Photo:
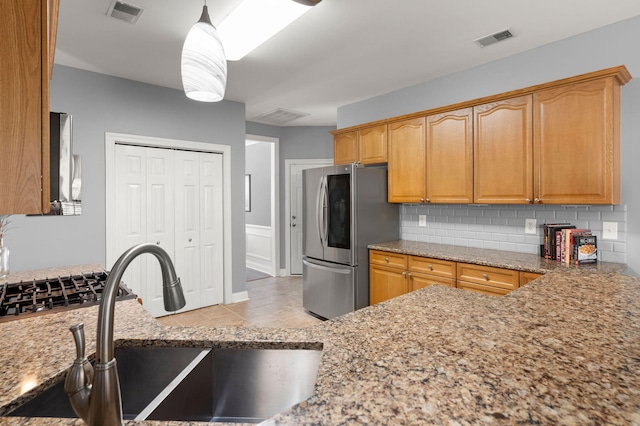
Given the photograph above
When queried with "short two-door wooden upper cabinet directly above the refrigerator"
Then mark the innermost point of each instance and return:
(365, 146)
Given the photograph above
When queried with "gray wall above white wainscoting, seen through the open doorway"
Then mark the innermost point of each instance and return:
(258, 165)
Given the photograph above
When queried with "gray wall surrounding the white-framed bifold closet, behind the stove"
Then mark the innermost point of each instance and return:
(100, 104)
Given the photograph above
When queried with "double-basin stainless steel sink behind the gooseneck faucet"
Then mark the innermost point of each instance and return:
(195, 384)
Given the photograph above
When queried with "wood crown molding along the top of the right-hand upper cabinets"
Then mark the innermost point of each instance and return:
(620, 72)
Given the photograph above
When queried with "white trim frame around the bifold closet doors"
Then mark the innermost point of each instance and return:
(111, 139)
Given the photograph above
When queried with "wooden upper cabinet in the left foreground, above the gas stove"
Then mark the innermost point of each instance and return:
(27, 42)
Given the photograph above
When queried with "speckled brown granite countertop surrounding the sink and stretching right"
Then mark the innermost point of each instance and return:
(564, 349)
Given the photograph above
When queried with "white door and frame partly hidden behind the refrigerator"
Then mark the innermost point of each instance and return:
(293, 209)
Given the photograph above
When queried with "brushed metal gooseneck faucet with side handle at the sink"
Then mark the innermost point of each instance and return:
(94, 392)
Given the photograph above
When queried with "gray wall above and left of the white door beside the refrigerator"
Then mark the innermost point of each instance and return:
(294, 143)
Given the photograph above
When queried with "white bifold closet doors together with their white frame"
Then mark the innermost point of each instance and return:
(176, 174)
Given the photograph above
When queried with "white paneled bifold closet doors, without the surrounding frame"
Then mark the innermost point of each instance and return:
(171, 198)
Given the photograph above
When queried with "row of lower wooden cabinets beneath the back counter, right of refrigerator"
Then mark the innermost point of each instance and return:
(394, 274)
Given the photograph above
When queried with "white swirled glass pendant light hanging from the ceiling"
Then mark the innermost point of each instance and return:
(204, 65)
